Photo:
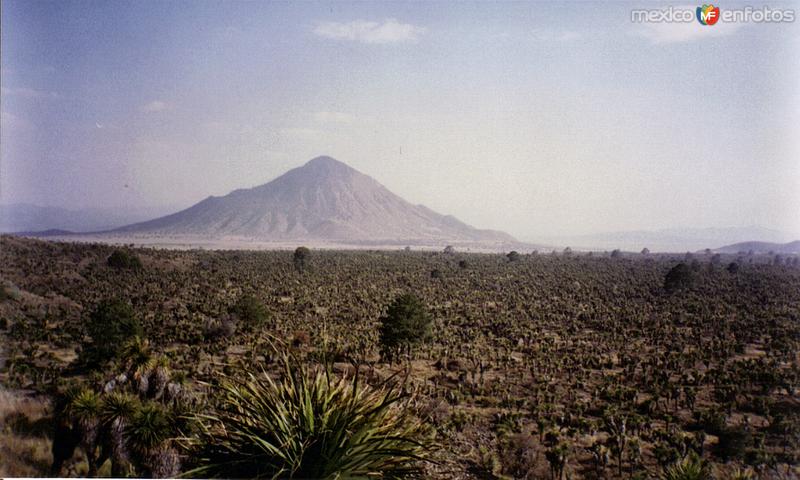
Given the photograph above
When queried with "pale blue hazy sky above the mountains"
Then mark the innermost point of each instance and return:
(533, 118)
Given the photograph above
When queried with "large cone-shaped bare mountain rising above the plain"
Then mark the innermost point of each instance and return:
(324, 200)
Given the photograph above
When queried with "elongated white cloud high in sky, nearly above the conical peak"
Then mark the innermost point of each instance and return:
(389, 31)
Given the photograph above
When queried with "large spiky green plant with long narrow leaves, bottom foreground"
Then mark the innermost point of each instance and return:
(308, 425)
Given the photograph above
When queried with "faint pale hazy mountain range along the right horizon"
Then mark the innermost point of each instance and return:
(673, 239)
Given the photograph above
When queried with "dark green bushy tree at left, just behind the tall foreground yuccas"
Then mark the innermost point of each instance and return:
(110, 325)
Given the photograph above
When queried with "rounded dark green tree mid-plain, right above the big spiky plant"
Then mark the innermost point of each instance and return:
(406, 322)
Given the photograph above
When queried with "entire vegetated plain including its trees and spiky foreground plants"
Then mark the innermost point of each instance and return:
(123, 361)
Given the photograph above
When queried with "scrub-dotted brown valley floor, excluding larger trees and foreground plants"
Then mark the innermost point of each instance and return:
(540, 366)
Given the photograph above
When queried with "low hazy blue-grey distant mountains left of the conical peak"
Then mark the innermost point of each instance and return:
(25, 217)
